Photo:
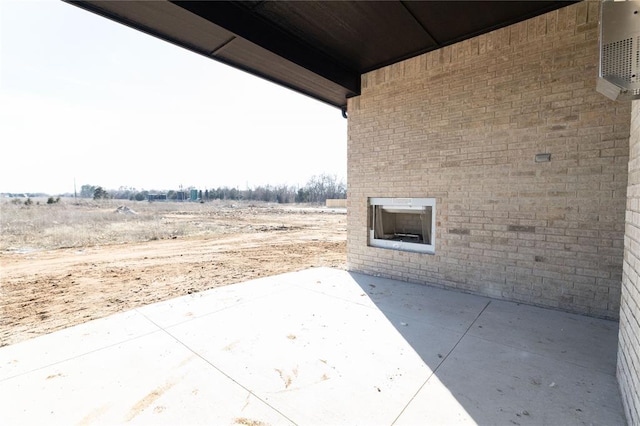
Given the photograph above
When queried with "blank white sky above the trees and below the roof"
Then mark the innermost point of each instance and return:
(84, 97)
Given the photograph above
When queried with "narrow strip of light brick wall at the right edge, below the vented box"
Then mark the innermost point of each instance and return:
(629, 337)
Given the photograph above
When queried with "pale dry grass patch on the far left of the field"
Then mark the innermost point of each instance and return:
(69, 224)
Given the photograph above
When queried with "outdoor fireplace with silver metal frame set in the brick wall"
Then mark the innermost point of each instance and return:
(406, 224)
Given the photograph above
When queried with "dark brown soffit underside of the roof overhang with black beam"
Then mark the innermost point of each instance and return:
(317, 48)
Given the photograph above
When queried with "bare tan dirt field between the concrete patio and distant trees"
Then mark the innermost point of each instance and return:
(43, 290)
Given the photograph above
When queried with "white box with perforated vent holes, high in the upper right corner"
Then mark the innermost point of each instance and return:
(619, 77)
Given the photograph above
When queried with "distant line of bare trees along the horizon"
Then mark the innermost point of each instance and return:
(317, 190)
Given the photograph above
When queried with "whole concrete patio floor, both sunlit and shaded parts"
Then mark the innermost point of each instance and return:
(319, 347)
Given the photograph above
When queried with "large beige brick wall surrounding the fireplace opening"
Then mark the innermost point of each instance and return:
(462, 125)
